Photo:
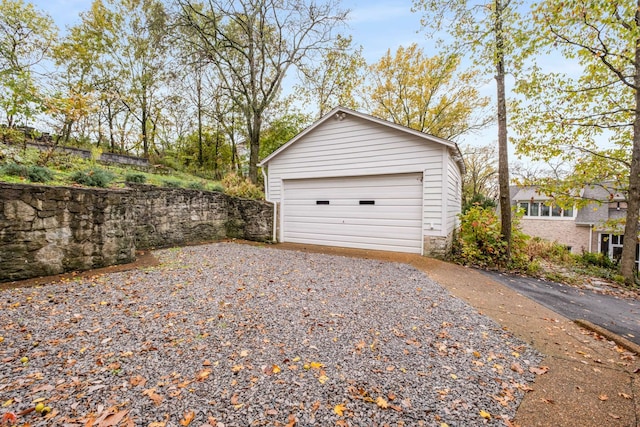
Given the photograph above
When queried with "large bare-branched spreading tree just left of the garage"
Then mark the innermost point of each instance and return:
(253, 43)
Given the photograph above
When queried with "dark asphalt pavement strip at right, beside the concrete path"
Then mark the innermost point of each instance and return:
(617, 314)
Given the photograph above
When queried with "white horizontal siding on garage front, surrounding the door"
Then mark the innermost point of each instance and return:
(357, 147)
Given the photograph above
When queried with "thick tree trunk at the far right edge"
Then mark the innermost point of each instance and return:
(628, 259)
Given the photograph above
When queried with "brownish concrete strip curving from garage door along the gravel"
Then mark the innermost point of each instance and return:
(590, 381)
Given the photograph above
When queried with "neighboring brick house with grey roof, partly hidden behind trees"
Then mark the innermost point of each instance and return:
(581, 230)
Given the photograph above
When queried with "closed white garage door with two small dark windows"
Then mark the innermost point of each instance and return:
(374, 212)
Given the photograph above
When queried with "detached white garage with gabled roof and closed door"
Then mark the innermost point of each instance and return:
(353, 180)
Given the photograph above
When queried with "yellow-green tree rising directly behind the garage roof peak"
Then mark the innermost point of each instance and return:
(333, 78)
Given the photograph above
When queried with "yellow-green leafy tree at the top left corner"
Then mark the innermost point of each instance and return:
(26, 38)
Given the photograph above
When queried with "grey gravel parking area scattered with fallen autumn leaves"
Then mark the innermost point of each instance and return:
(237, 335)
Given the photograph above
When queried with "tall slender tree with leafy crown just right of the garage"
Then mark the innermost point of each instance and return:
(490, 32)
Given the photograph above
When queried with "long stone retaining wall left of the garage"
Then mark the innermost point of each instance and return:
(50, 230)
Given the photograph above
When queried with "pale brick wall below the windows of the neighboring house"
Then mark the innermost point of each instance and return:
(565, 232)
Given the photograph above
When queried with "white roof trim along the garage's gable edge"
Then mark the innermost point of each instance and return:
(339, 113)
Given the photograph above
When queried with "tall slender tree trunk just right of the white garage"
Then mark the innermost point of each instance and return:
(503, 159)
